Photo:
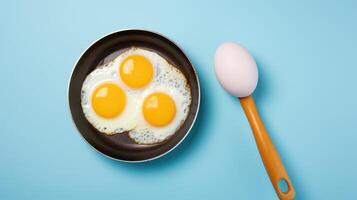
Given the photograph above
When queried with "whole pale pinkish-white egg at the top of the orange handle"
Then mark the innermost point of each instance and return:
(236, 69)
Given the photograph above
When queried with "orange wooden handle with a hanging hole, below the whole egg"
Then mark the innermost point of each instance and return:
(269, 154)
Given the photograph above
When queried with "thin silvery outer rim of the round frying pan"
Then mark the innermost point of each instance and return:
(196, 112)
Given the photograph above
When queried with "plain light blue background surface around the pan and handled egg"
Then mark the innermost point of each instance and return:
(306, 52)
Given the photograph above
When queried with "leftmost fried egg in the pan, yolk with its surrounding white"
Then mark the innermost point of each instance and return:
(105, 104)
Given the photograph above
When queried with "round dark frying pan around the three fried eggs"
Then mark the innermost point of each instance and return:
(119, 146)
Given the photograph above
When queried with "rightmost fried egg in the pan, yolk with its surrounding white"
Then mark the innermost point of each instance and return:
(164, 105)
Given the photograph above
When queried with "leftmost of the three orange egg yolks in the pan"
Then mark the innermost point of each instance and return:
(108, 100)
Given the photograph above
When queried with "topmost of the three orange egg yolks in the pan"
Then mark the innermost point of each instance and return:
(136, 71)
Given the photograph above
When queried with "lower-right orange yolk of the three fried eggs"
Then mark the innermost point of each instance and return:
(159, 109)
